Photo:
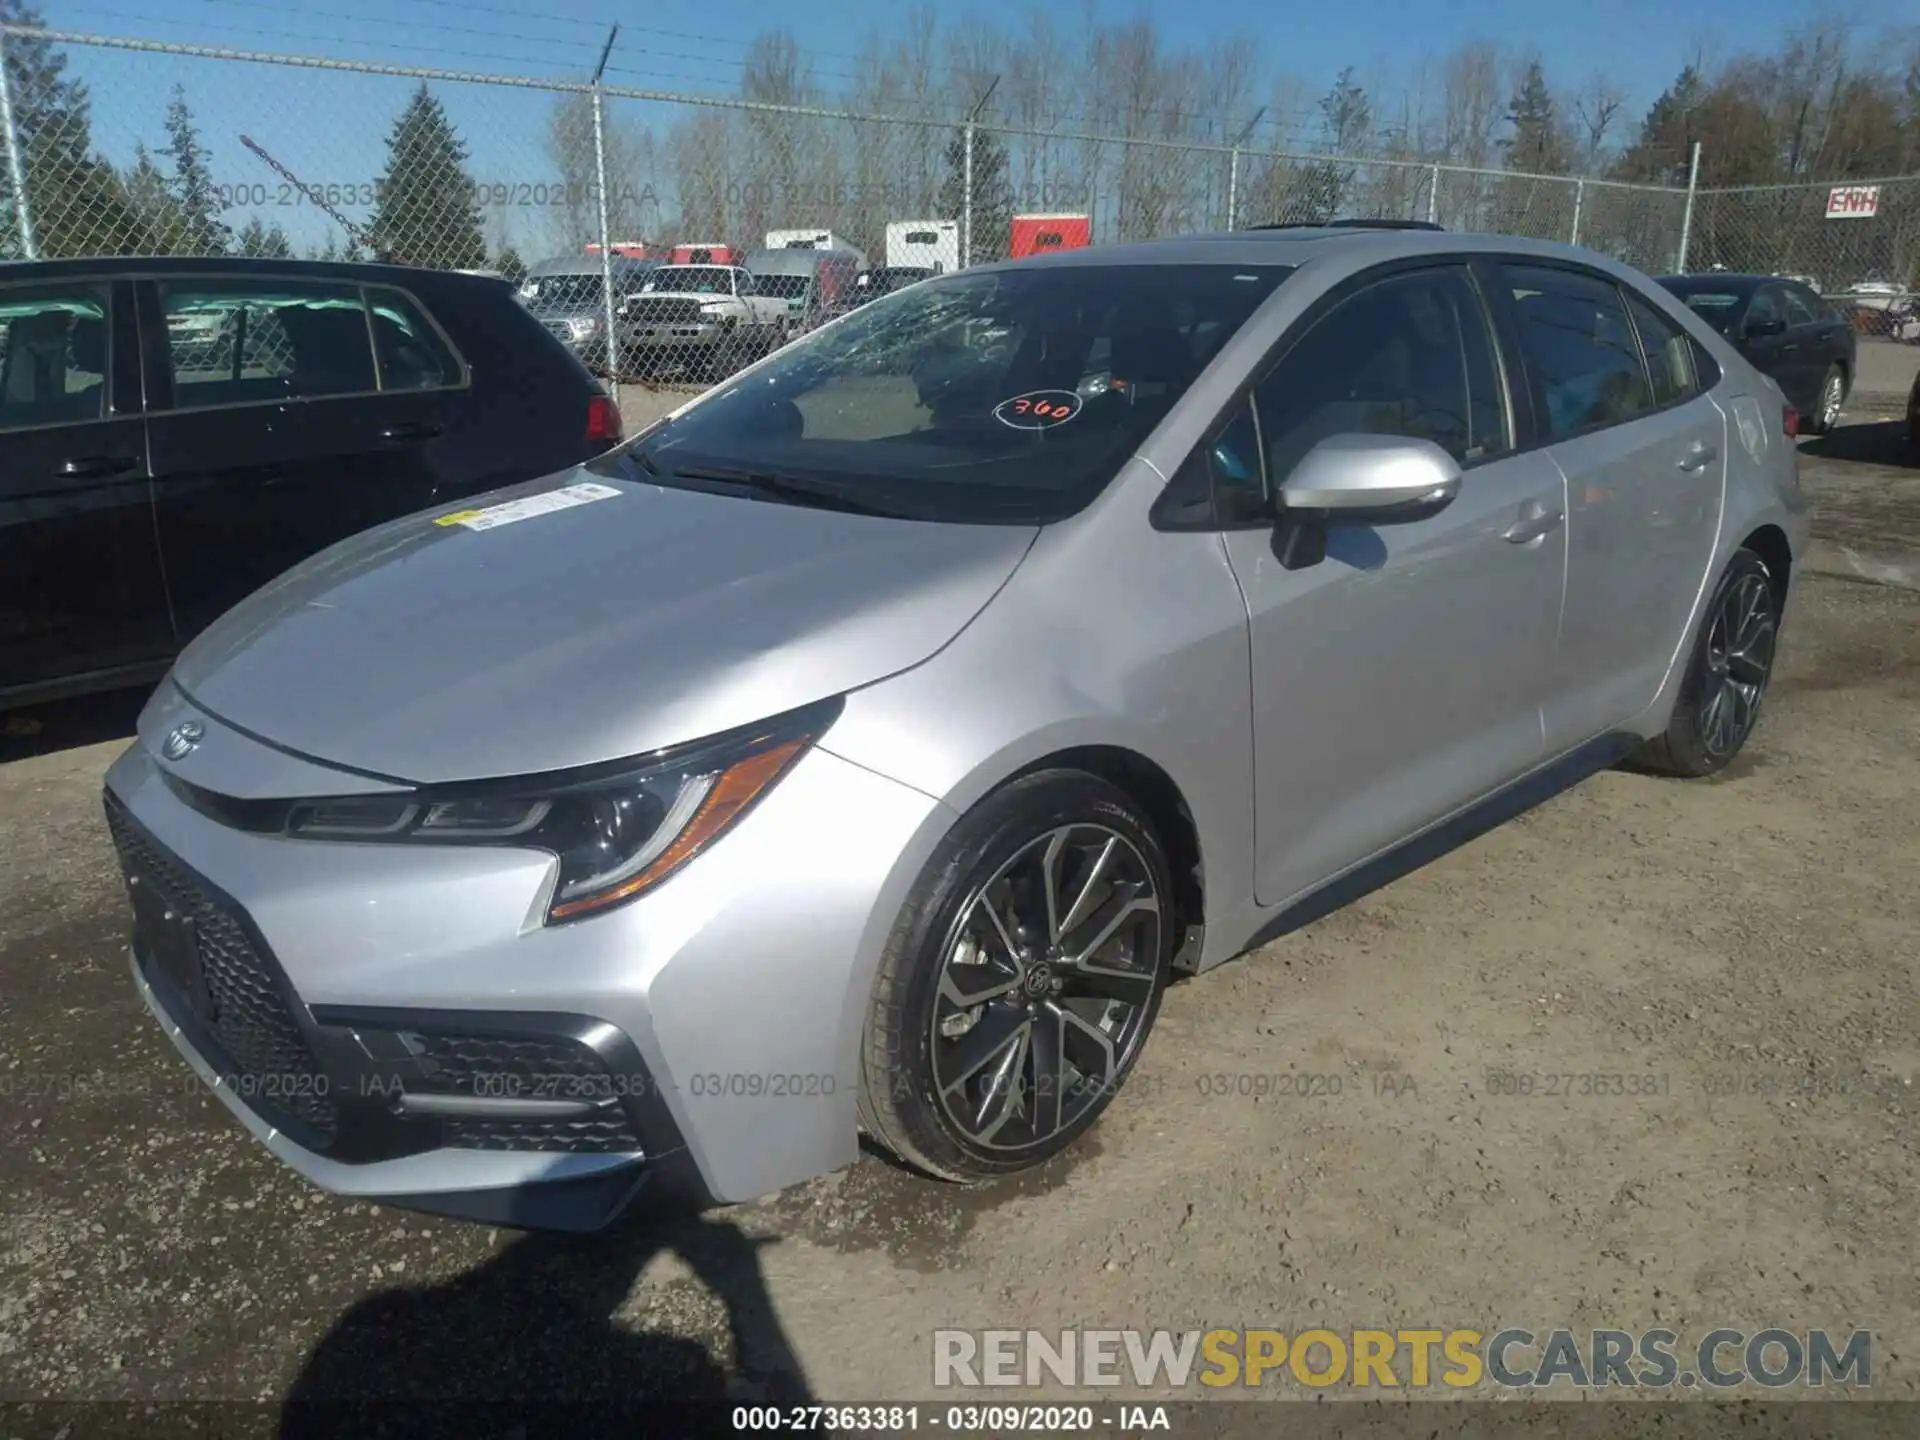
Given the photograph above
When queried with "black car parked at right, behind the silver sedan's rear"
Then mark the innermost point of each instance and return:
(1787, 331)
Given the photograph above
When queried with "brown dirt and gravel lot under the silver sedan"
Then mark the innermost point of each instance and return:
(1748, 942)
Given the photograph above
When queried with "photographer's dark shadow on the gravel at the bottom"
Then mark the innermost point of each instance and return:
(529, 1345)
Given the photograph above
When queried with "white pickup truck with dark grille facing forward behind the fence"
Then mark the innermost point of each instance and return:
(706, 320)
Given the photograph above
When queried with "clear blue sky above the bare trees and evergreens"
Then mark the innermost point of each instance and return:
(331, 128)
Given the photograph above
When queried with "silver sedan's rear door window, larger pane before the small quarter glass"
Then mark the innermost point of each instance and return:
(1579, 350)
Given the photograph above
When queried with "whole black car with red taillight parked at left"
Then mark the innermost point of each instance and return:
(176, 433)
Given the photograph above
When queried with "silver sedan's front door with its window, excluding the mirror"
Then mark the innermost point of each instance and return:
(1403, 677)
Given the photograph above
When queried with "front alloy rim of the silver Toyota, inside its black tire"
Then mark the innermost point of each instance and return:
(1045, 988)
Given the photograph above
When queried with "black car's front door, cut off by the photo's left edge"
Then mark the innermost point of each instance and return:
(80, 571)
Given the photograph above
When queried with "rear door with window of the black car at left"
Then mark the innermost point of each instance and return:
(276, 439)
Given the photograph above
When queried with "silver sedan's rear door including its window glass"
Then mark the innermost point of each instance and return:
(1644, 454)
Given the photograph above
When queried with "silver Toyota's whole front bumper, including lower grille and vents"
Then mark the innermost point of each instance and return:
(400, 1026)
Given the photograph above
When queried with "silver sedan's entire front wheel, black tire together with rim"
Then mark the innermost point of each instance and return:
(903, 1061)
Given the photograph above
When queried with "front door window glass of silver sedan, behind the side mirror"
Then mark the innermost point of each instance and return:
(1408, 356)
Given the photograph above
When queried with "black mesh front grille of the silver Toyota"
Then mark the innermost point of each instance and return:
(262, 1051)
